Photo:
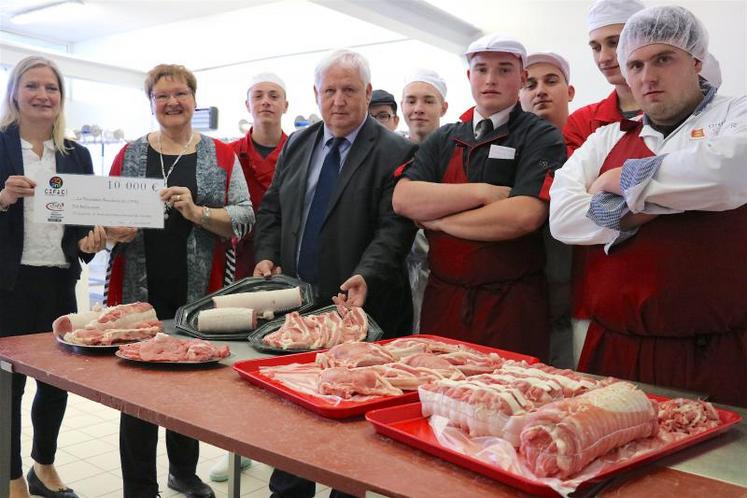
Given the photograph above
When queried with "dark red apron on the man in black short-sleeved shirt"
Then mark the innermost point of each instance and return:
(490, 293)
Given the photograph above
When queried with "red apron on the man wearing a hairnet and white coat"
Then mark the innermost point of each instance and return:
(668, 307)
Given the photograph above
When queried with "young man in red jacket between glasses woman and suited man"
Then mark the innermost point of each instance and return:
(258, 151)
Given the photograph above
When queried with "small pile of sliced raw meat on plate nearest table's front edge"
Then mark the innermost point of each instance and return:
(166, 348)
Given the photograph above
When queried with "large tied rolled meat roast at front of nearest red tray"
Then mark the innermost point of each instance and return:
(563, 437)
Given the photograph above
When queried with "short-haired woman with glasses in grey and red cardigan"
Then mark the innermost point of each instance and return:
(206, 205)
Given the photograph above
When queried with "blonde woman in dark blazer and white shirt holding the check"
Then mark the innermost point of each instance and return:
(39, 263)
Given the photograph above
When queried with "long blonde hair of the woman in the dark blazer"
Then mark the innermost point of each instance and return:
(10, 114)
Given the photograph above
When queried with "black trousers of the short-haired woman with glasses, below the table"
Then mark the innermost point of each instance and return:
(137, 452)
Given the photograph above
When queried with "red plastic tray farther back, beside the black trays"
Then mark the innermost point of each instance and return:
(249, 370)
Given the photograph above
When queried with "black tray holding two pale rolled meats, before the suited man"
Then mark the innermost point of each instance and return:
(186, 316)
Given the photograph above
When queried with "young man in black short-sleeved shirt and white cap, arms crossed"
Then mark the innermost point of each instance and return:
(476, 186)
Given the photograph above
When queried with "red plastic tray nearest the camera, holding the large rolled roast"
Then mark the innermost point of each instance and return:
(405, 423)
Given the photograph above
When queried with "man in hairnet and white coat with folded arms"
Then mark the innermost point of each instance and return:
(661, 202)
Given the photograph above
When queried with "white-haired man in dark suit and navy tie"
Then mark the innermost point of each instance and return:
(328, 217)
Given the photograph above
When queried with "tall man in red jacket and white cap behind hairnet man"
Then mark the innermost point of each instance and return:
(605, 21)
